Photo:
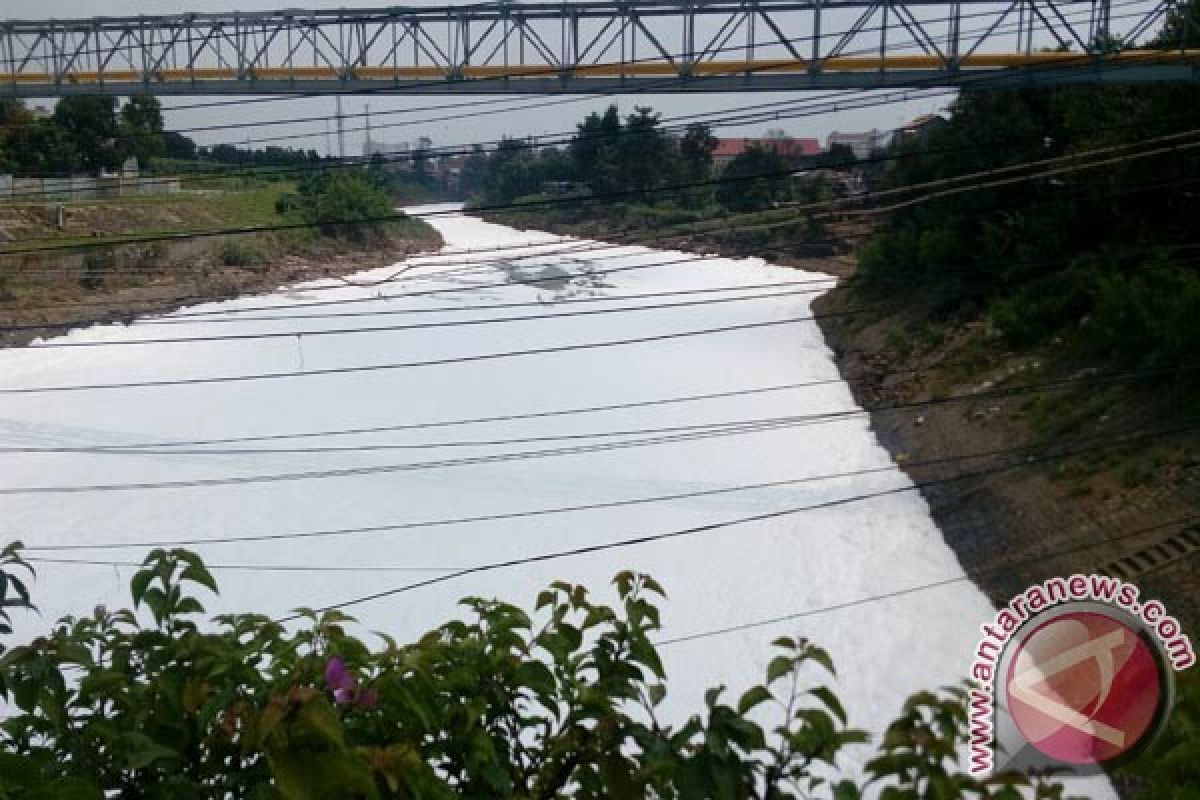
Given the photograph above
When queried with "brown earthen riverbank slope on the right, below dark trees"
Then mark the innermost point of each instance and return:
(1106, 509)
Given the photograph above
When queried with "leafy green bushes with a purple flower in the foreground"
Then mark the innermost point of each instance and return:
(154, 702)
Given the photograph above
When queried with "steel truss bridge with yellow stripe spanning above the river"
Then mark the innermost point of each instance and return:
(597, 46)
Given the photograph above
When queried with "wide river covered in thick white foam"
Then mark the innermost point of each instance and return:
(728, 578)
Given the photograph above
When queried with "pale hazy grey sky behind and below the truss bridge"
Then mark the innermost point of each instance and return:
(409, 127)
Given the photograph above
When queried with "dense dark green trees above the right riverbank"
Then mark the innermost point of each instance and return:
(1100, 260)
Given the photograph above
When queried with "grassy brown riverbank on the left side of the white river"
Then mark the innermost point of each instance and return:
(49, 293)
